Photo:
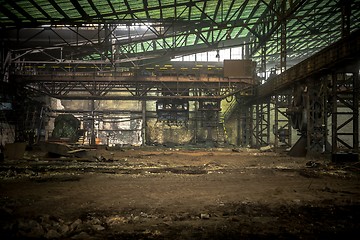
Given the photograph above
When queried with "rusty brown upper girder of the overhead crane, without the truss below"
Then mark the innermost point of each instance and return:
(184, 72)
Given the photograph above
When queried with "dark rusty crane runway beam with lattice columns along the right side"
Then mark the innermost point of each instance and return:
(326, 84)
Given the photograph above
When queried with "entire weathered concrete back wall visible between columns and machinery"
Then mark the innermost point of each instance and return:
(126, 128)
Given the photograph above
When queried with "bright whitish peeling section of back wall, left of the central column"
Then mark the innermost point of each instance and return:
(116, 122)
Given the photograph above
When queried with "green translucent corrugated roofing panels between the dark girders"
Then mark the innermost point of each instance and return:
(315, 21)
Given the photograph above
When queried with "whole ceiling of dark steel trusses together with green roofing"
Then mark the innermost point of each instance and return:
(208, 26)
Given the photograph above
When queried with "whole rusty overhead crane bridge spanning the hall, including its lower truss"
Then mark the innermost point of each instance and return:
(201, 81)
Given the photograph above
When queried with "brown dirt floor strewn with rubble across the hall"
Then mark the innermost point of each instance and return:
(178, 193)
